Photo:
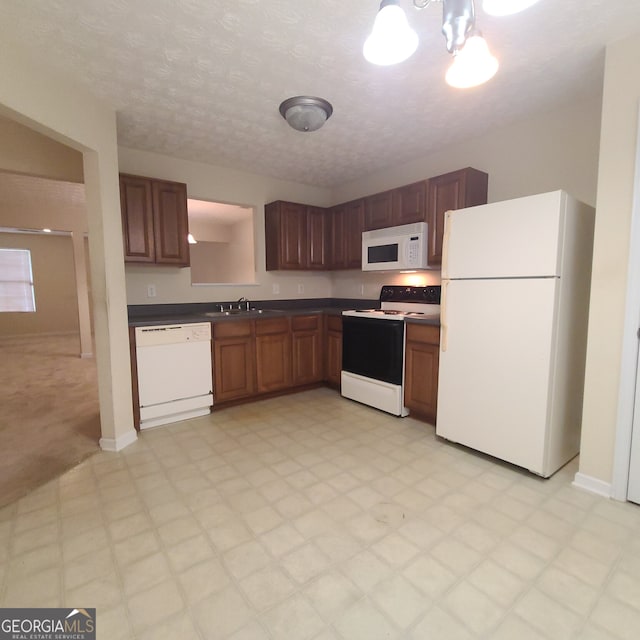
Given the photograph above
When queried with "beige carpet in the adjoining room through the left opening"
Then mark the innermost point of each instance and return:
(49, 416)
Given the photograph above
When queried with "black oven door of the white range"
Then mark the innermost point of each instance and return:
(373, 348)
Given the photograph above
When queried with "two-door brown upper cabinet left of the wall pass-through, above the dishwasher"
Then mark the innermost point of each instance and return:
(154, 220)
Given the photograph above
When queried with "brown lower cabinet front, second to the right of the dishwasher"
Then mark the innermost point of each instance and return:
(273, 354)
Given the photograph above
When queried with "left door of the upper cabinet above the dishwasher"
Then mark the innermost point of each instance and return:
(136, 205)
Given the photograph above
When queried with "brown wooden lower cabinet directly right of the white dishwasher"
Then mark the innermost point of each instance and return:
(233, 361)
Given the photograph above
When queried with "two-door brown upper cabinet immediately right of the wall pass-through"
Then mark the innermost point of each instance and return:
(296, 236)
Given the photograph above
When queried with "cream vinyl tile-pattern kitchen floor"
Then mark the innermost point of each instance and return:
(313, 517)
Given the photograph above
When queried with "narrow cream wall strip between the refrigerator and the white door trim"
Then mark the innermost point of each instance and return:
(611, 250)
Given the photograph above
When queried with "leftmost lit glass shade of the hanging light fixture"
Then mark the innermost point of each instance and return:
(392, 40)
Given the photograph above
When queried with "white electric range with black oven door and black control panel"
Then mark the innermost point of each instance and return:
(373, 346)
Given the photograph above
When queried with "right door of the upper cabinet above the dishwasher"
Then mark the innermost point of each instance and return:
(170, 222)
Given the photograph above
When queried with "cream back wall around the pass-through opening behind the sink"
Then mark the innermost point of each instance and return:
(219, 184)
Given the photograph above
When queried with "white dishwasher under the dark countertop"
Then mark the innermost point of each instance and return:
(175, 379)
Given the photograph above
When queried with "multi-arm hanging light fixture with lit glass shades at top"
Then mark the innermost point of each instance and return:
(392, 39)
